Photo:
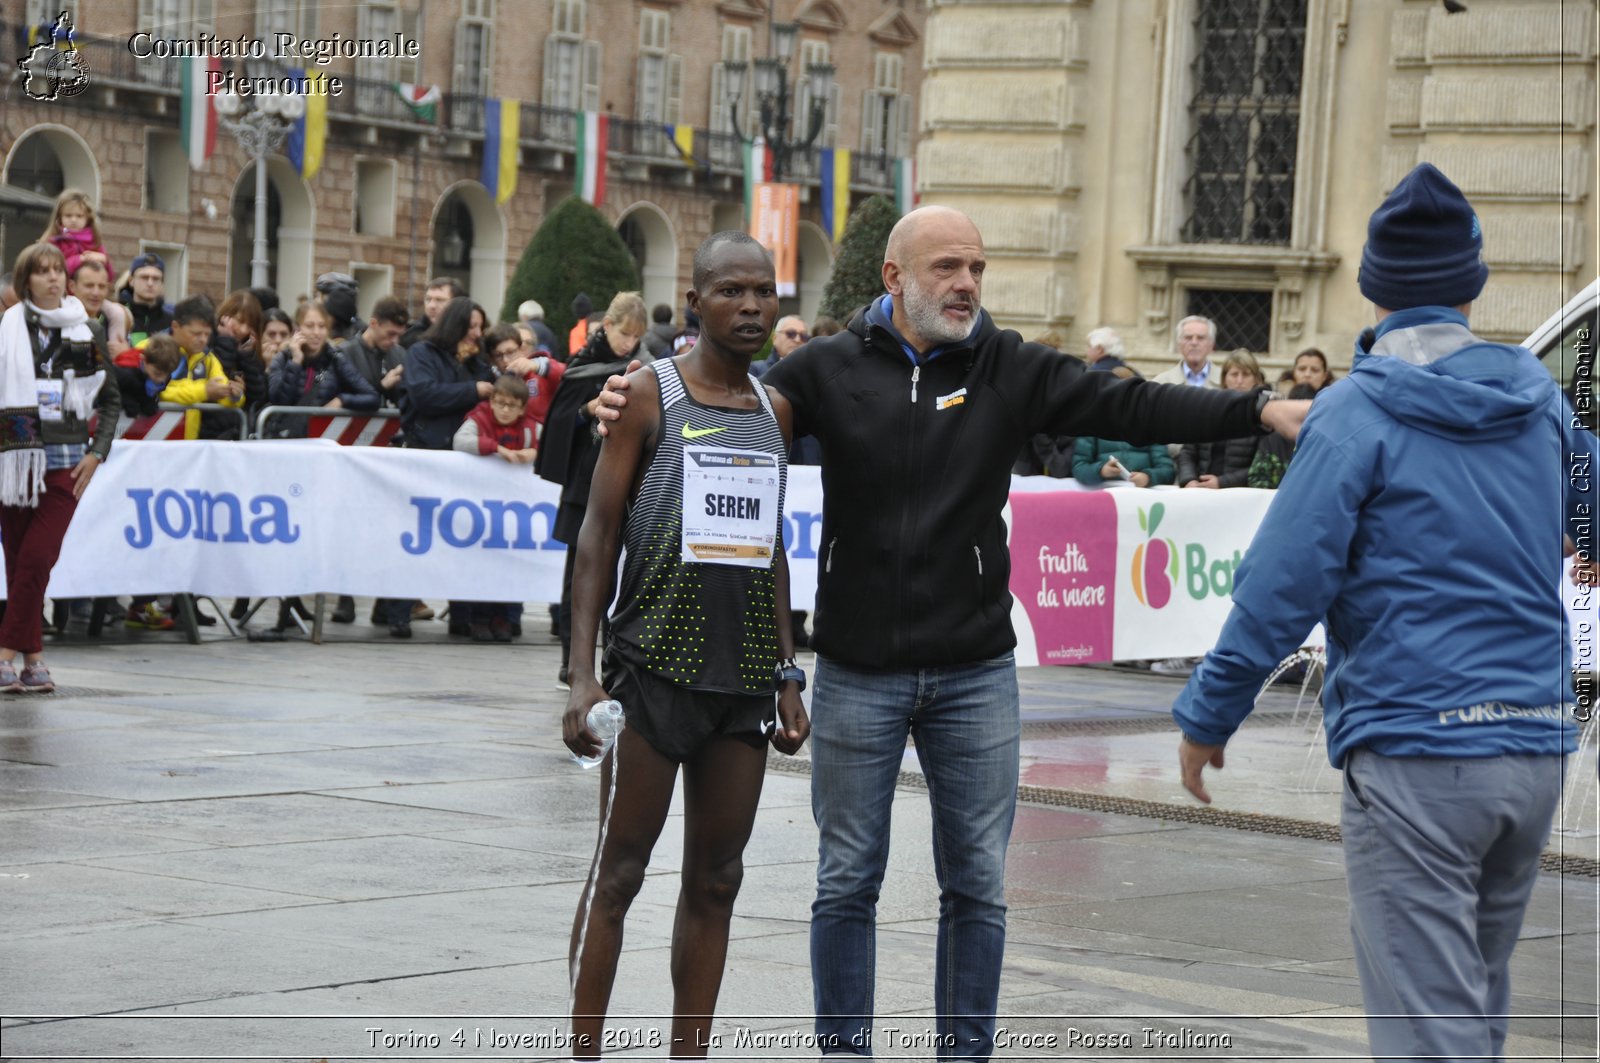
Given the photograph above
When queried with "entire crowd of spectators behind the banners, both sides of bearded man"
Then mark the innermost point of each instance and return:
(452, 382)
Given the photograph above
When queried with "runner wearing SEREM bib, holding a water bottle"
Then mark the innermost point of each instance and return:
(700, 627)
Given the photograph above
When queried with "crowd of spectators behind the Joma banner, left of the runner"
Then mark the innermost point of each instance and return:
(449, 379)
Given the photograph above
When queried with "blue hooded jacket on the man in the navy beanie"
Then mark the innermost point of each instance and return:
(1423, 523)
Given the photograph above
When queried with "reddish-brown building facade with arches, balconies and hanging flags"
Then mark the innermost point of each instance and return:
(399, 201)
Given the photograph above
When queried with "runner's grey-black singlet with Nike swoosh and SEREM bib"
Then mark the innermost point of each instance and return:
(697, 598)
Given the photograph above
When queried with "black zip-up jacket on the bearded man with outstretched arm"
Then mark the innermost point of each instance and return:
(913, 569)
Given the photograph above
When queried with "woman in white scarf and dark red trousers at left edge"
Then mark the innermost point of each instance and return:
(52, 380)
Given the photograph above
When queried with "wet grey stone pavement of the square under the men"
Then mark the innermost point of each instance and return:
(374, 849)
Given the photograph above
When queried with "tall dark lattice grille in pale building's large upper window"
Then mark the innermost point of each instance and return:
(1246, 121)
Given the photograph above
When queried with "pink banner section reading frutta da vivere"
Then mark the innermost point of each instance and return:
(1065, 576)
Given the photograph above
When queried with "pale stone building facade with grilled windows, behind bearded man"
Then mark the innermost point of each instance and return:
(1135, 161)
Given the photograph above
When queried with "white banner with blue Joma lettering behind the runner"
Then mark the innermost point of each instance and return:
(257, 519)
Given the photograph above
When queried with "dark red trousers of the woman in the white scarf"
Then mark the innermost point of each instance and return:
(31, 537)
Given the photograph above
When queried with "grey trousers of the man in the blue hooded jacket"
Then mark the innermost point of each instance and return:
(1441, 857)
